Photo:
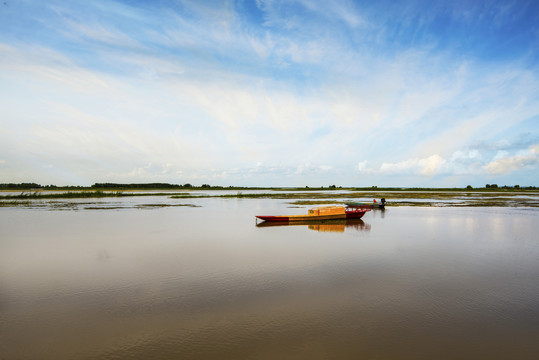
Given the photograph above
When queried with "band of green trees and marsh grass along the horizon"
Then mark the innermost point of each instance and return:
(491, 195)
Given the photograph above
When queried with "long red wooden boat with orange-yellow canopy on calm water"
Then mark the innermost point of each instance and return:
(321, 213)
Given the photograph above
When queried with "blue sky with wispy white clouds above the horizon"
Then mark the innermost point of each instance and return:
(270, 92)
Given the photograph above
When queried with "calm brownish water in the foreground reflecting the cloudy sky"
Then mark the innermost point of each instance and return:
(207, 283)
